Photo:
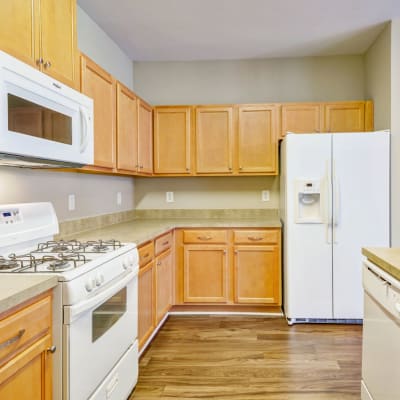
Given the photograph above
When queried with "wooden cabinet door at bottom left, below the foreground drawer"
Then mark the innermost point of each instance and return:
(29, 374)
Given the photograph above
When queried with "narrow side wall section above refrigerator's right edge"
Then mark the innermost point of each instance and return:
(377, 78)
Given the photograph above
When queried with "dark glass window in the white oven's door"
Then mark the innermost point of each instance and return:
(105, 316)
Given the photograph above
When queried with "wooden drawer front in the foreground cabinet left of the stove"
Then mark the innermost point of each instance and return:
(21, 329)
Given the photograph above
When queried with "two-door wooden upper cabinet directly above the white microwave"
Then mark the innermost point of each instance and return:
(42, 34)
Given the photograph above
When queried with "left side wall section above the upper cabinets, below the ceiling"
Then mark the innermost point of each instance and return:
(93, 41)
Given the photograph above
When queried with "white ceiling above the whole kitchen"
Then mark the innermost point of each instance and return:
(173, 30)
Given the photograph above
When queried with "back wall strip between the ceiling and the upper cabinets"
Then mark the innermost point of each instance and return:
(291, 79)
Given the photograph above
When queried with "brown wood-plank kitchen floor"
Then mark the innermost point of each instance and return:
(236, 357)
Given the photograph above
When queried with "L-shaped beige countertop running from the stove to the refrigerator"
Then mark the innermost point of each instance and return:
(141, 230)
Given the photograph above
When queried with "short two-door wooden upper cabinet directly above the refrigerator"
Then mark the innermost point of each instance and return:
(345, 116)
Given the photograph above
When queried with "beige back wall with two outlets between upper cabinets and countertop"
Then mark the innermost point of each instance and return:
(206, 192)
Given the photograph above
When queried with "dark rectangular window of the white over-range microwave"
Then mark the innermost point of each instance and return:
(35, 120)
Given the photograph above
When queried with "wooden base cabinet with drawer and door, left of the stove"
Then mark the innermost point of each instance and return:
(26, 353)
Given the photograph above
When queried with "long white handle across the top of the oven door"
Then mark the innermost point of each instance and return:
(72, 313)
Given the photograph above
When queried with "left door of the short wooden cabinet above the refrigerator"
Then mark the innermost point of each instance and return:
(302, 118)
